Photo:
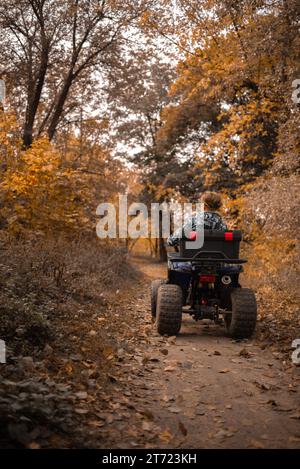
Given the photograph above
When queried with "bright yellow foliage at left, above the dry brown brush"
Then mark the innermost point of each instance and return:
(43, 191)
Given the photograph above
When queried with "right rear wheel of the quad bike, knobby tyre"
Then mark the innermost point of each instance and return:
(240, 324)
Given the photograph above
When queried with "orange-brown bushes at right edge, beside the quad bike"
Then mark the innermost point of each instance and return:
(268, 213)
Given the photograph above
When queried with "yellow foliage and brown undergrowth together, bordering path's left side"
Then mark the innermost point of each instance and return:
(59, 284)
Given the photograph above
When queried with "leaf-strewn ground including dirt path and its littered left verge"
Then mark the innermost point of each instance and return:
(199, 390)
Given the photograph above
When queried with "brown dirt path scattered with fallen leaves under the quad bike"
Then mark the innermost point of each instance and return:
(199, 390)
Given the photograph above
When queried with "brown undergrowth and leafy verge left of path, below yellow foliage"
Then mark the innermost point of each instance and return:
(57, 318)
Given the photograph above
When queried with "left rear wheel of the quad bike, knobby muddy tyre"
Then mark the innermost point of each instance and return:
(169, 309)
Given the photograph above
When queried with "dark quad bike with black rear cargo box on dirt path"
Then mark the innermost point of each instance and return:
(209, 289)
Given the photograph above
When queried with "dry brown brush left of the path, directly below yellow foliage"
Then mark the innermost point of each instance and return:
(40, 280)
